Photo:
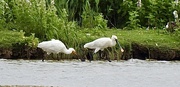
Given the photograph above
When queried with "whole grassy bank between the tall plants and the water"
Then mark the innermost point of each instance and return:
(146, 40)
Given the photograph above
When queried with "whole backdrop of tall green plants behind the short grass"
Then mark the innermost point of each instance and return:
(40, 16)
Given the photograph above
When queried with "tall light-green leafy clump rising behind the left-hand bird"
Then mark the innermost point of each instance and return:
(40, 18)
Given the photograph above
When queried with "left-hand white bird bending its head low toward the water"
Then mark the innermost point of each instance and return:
(55, 47)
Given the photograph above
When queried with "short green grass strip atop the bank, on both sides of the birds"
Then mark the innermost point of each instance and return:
(145, 37)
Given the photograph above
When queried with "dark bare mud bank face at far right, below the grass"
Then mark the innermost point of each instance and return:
(154, 52)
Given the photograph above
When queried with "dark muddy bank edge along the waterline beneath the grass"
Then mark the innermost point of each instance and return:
(133, 50)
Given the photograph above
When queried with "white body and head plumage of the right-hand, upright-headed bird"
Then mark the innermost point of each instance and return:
(101, 43)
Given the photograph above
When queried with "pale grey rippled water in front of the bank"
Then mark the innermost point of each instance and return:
(131, 73)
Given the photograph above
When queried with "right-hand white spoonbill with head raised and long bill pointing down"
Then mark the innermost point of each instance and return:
(100, 44)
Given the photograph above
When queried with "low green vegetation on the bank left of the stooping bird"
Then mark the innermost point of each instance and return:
(8, 38)
